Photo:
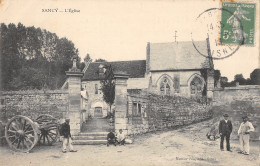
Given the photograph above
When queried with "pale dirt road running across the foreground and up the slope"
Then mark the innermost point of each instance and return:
(185, 146)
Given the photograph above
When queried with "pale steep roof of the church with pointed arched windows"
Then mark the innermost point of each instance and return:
(178, 56)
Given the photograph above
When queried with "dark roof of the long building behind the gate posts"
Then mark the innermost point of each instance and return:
(135, 69)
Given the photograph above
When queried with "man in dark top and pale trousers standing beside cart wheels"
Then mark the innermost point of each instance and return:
(65, 133)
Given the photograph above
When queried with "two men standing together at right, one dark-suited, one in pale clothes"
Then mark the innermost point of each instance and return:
(225, 129)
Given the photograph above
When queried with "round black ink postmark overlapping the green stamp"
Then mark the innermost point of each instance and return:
(209, 25)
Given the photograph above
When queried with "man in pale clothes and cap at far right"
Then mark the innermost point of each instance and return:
(244, 134)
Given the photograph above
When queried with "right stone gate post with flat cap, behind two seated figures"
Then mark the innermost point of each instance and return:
(121, 101)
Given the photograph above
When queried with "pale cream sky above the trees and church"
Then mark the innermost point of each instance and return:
(119, 30)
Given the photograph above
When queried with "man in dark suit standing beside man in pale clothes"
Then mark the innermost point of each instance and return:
(225, 129)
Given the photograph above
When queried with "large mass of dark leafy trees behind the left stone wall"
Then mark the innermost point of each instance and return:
(32, 58)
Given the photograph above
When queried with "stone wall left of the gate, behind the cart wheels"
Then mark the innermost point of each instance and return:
(33, 103)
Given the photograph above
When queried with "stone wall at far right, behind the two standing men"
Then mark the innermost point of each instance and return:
(238, 101)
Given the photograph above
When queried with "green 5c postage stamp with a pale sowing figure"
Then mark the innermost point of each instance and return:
(238, 23)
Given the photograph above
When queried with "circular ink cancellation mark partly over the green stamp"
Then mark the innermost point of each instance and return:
(207, 27)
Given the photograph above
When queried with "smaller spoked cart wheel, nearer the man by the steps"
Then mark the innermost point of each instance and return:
(48, 128)
